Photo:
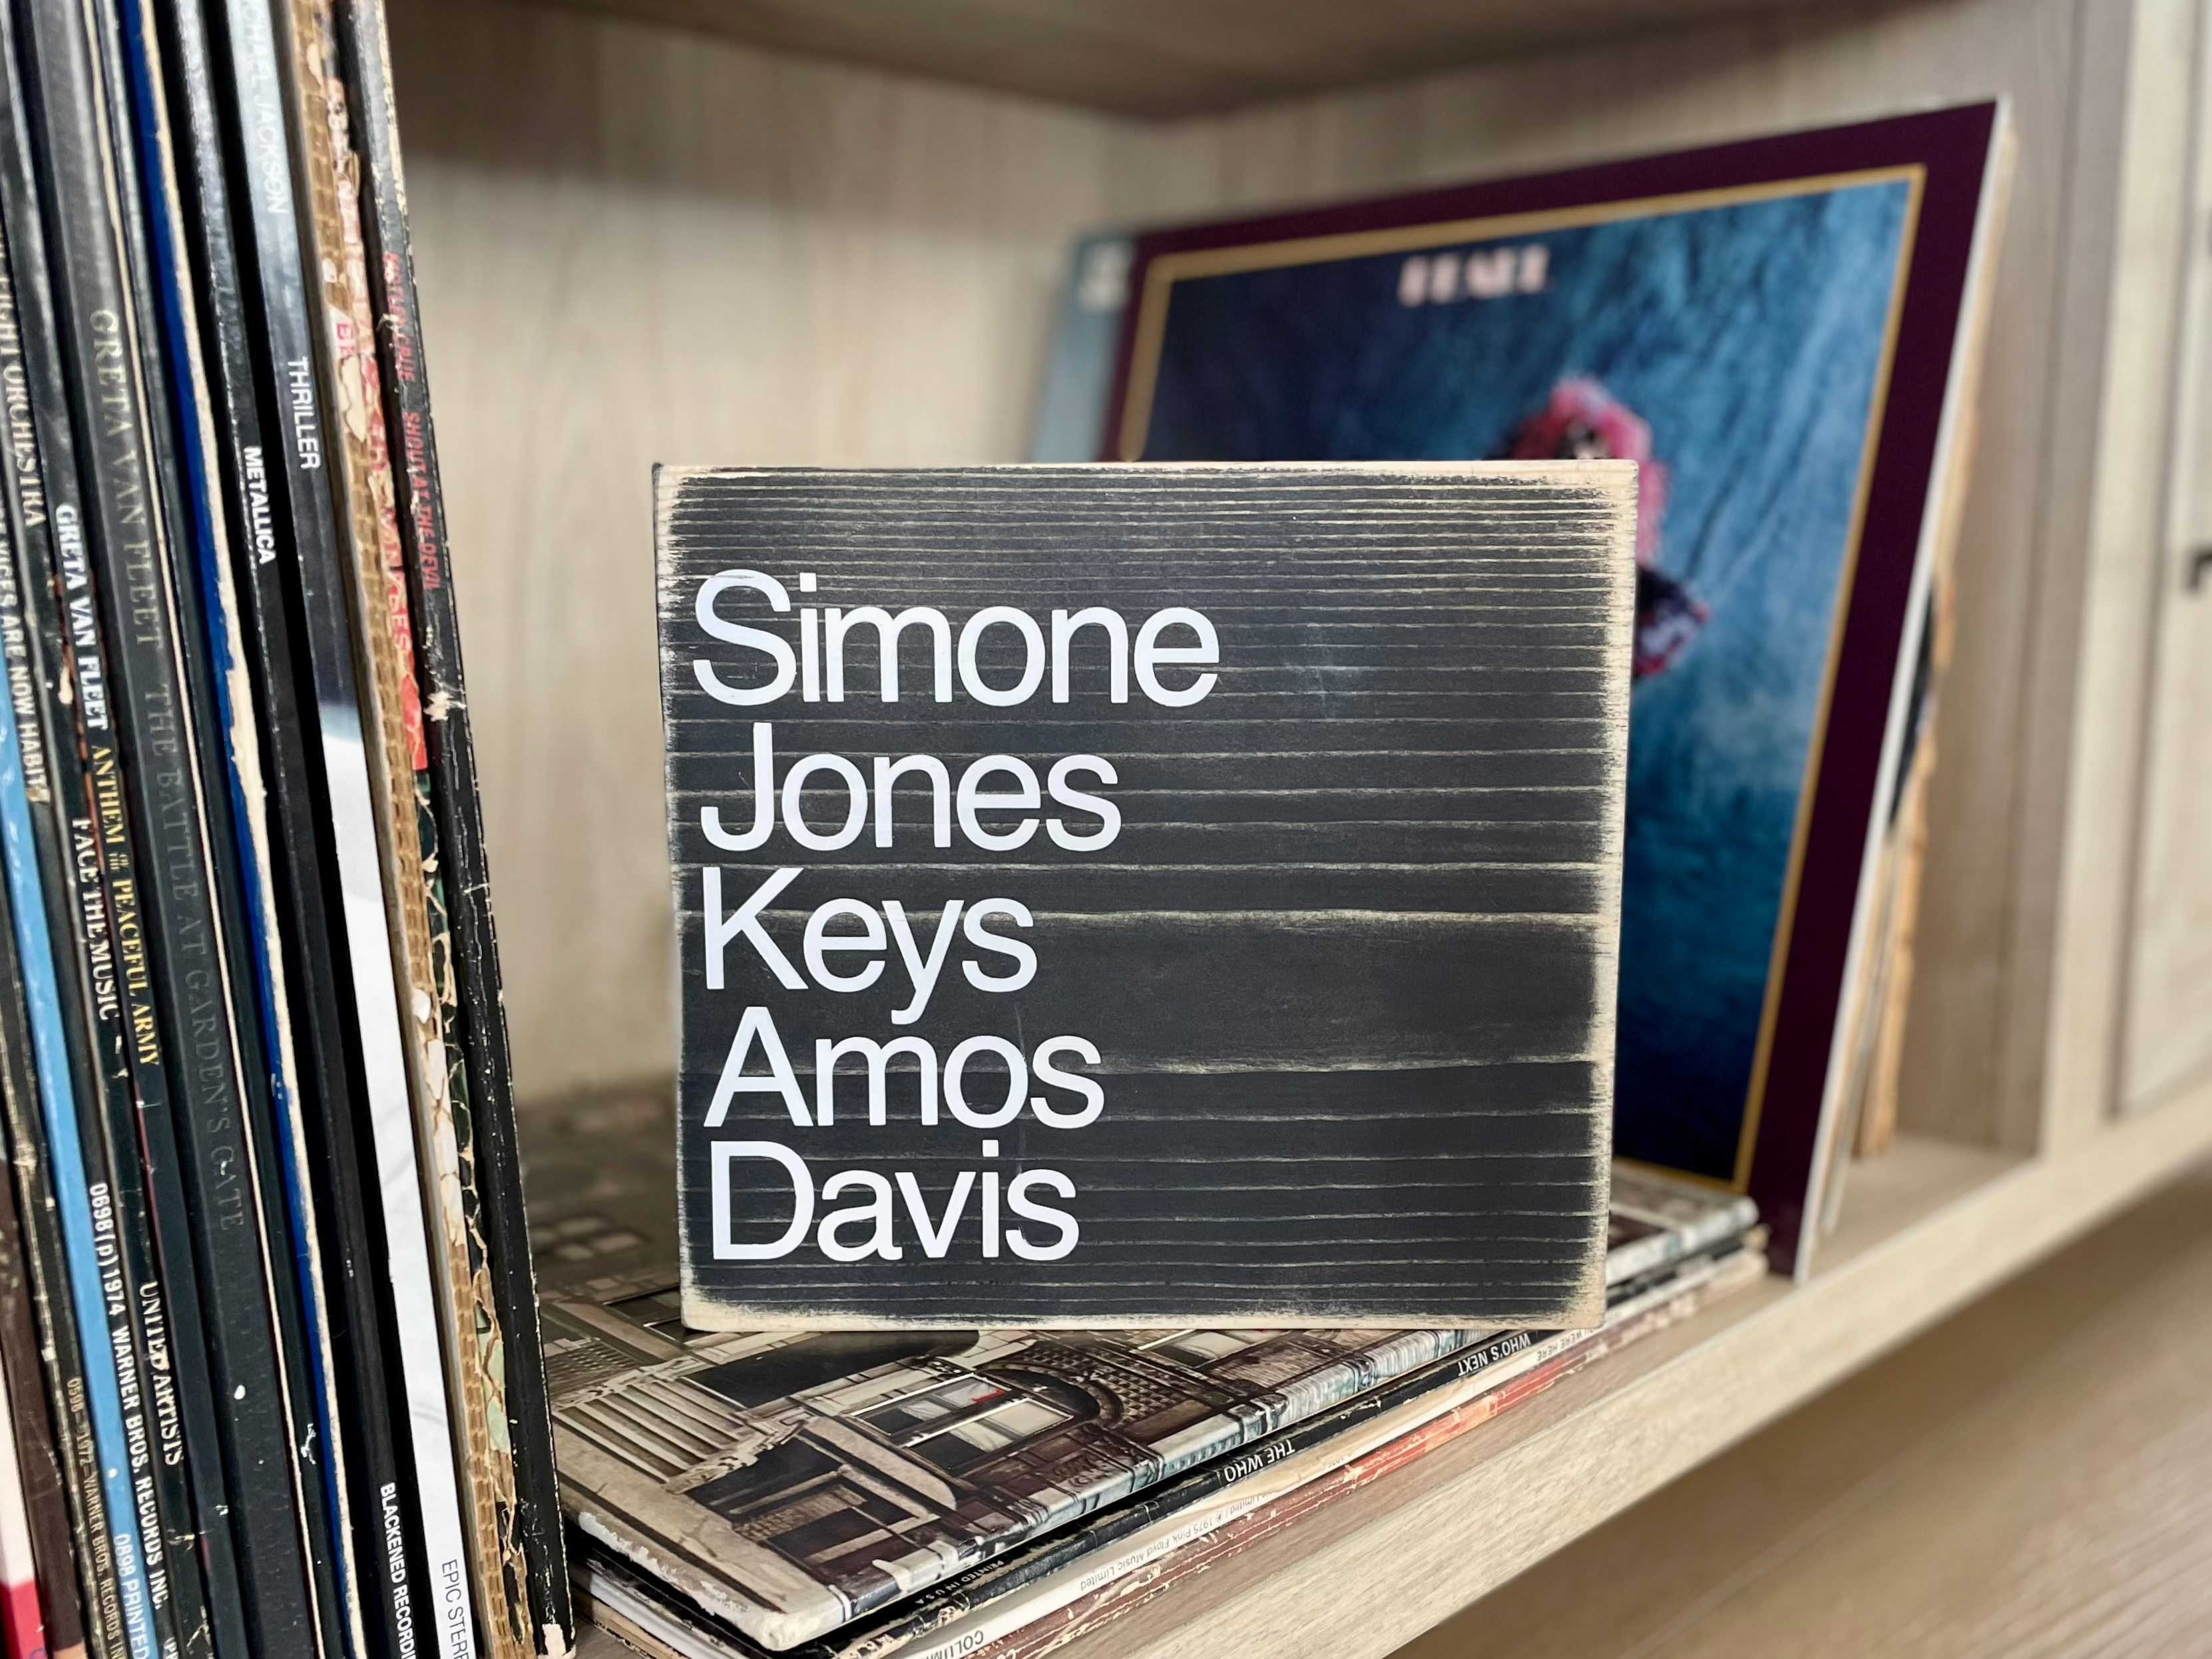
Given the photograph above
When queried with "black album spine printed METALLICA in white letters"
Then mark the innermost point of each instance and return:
(377, 1541)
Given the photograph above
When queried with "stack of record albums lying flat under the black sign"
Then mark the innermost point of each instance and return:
(1001, 1492)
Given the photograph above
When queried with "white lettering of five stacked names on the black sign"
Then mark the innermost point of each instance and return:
(997, 804)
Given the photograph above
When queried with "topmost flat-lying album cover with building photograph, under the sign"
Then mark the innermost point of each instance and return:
(791, 1483)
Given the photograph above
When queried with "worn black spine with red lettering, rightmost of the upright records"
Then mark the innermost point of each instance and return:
(461, 828)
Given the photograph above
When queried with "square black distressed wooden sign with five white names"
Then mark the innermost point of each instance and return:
(1346, 966)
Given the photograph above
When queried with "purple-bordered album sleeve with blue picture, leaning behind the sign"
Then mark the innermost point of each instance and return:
(1784, 333)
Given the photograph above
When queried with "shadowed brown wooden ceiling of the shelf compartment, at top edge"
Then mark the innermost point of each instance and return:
(1171, 56)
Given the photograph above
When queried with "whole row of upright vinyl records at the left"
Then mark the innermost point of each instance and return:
(271, 1344)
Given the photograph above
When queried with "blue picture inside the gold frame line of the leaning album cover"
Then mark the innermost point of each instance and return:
(1738, 344)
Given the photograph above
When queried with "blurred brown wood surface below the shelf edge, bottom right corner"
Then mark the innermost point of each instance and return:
(2030, 1477)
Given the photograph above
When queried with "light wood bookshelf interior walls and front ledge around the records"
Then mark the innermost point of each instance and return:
(700, 231)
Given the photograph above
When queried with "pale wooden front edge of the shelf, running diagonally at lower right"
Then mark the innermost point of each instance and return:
(1399, 1558)
